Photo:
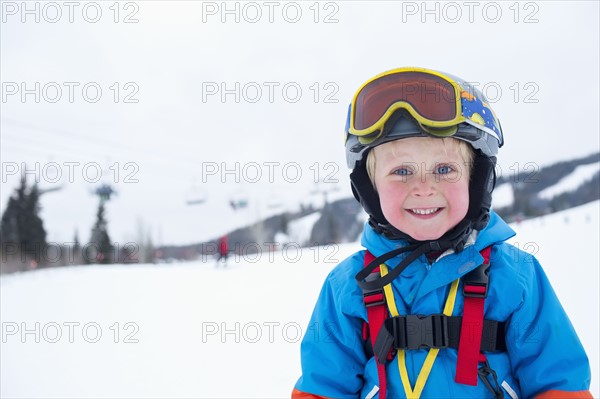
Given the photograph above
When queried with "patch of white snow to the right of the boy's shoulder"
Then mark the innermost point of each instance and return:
(566, 244)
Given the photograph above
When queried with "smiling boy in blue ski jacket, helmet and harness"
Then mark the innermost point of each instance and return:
(392, 320)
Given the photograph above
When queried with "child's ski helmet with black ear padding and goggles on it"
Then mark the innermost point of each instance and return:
(417, 102)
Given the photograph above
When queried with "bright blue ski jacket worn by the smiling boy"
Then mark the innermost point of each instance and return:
(544, 357)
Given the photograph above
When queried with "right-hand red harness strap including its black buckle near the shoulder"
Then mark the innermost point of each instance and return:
(475, 285)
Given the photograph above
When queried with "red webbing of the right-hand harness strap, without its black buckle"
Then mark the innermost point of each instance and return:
(470, 333)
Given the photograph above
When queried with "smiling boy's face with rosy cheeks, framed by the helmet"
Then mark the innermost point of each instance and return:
(423, 185)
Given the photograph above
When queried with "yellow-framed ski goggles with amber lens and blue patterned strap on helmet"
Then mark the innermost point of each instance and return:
(436, 101)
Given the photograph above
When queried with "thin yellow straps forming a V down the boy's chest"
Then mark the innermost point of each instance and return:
(431, 355)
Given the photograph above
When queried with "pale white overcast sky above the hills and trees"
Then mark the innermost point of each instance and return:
(178, 100)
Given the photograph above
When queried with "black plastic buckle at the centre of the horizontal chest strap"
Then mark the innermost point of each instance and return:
(419, 332)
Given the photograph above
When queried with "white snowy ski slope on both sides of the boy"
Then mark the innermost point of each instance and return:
(193, 330)
